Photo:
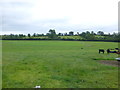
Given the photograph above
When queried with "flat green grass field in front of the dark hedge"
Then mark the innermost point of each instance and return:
(57, 64)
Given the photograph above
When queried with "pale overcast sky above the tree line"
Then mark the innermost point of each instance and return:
(39, 16)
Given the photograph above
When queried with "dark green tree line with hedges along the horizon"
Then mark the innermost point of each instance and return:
(51, 35)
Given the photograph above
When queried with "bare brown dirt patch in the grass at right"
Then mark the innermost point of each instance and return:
(110, 62)
